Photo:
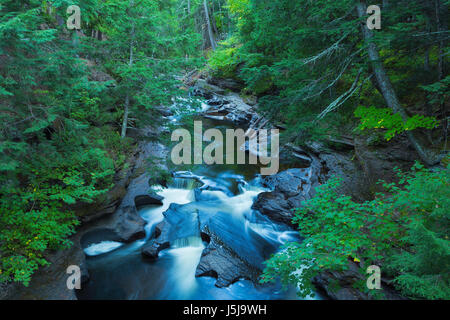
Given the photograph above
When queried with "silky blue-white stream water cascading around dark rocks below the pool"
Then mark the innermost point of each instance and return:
(118, 271)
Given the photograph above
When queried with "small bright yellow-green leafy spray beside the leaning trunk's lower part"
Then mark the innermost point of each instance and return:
(384, 118)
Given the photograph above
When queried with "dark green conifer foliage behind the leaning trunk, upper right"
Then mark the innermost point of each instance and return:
(301, 56)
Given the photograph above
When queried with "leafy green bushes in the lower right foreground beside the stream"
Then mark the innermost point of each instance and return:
(405, 230)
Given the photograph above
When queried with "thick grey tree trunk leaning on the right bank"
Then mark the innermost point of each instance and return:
(385, 85)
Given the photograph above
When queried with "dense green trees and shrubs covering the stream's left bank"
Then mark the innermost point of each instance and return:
(60, 144)
